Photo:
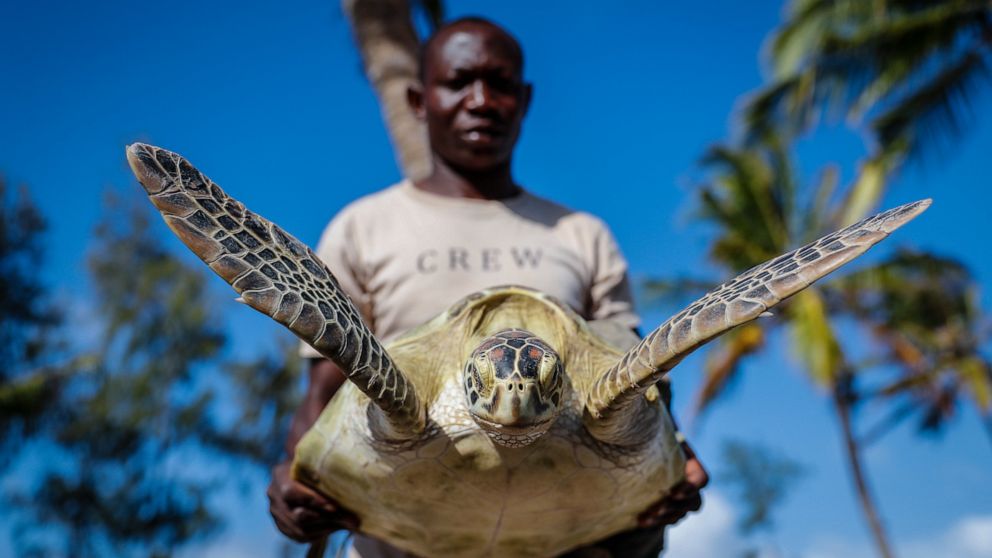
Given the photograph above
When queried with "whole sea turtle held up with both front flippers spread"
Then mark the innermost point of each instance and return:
(503, 427)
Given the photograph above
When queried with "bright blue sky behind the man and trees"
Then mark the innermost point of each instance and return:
(270, 102)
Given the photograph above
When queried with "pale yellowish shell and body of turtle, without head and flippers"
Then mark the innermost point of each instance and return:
(453, 491)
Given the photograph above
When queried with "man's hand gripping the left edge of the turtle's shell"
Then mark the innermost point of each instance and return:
(301, 513)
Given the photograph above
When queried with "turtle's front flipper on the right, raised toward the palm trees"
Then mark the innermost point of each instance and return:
(615, 398)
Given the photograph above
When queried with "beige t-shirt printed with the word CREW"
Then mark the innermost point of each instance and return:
(404, 255)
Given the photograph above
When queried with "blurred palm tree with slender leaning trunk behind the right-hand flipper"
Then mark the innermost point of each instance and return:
(921, 309)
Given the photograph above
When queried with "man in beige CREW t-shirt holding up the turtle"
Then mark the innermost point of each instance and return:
(405, 253)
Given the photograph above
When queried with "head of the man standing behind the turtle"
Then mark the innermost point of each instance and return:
(473, 97)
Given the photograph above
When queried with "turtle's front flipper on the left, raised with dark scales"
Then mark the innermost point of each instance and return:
(279, 276)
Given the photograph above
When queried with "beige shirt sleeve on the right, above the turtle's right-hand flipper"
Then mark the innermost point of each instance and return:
(610, 295)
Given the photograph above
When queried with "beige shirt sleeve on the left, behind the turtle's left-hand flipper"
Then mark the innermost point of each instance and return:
(338, 250)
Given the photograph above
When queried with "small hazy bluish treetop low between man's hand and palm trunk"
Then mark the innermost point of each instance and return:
(761, 478)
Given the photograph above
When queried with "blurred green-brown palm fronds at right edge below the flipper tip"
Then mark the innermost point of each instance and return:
(923, 310)
